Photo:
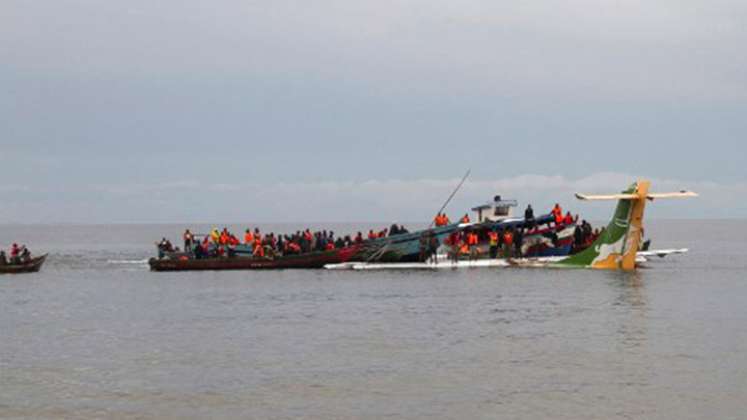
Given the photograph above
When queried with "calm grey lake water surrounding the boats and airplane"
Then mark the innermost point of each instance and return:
(96, 335)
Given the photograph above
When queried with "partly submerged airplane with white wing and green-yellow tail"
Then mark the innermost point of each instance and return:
(615, 249)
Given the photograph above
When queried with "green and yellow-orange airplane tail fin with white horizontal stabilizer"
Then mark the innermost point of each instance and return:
(617, 247)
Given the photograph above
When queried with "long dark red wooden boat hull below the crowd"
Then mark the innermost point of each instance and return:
(308, 260)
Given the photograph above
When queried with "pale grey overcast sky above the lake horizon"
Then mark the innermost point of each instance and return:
(339, 110)
